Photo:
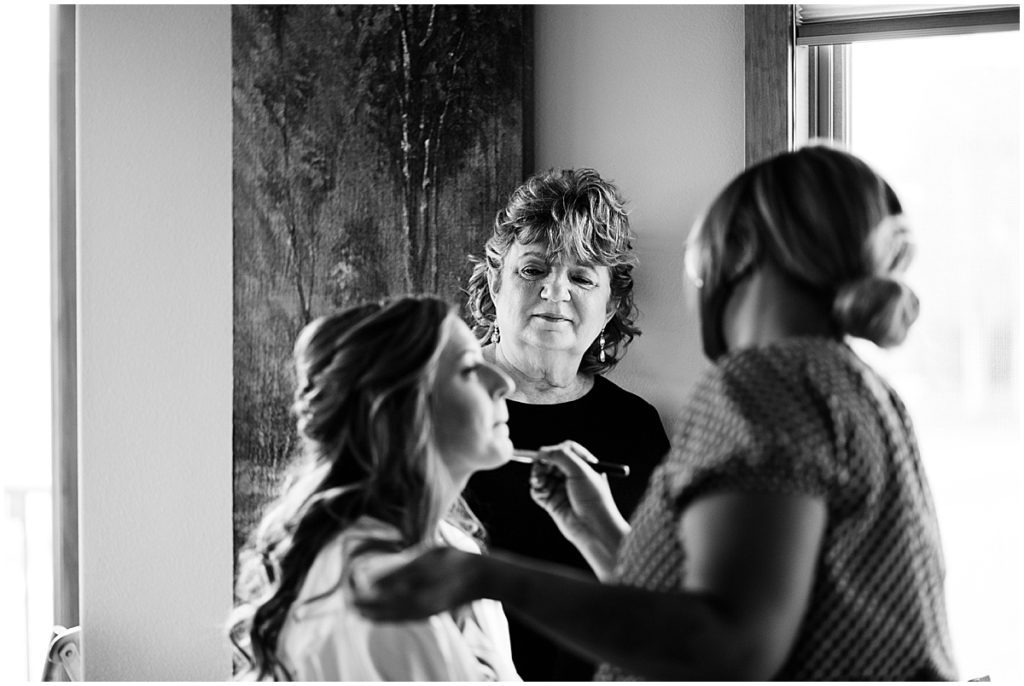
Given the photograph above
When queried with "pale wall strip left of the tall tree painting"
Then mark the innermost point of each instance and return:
(155, 340)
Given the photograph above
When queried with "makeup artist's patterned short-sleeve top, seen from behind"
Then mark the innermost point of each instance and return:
(807, 416)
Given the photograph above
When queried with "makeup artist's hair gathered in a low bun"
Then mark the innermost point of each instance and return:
(829, 222)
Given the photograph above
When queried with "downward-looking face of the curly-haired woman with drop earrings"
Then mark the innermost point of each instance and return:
(559, 307)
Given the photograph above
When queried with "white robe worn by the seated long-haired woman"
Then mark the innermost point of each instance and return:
(326, 639)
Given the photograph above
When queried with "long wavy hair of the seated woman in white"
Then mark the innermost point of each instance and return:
(363, 415)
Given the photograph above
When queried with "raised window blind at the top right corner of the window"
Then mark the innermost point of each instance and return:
(824, 25)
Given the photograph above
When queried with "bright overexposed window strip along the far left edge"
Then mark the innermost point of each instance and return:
(26, 564)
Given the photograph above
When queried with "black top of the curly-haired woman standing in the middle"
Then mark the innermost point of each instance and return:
(616, 426)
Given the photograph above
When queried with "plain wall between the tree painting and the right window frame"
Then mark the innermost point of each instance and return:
(653, 98)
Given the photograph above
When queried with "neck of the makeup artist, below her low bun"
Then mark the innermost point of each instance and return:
(770, 308)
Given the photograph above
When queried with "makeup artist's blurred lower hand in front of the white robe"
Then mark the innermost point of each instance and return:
(439, 580)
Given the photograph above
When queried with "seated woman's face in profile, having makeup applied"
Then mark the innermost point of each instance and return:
(470, 413)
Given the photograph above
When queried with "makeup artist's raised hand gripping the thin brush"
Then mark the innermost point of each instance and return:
(580, 502)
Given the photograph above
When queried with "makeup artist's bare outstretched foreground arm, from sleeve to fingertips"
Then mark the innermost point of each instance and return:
(750, 570)
